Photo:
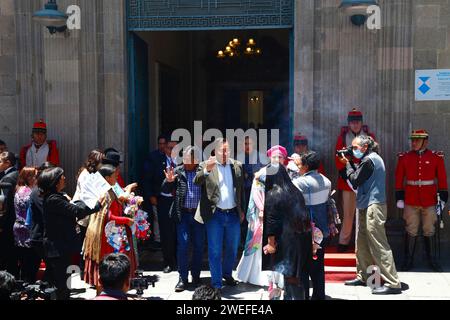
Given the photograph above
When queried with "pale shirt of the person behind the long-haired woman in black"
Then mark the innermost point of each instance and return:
(314, 186)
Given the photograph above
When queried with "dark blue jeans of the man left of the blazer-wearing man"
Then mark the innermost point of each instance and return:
(189, 230)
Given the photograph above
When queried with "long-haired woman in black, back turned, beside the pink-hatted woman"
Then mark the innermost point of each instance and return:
(287, 230)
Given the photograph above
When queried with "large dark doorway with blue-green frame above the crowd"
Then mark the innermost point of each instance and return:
(176, 76)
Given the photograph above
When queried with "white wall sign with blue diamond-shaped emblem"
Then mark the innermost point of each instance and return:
(432, 85)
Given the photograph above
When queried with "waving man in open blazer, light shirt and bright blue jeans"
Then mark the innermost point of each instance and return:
(221, 209)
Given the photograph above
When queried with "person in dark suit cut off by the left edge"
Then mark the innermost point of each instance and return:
(8, 256)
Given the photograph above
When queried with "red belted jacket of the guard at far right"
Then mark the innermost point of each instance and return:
(416, 176)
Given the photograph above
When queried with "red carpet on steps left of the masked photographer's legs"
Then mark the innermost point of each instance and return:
(339, 267)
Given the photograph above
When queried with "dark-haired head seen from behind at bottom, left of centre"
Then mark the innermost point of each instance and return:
(114, 272)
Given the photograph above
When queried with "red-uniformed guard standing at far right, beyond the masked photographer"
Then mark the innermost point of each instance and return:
(420, 176)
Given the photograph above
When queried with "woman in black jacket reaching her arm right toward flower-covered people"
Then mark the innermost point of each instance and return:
(59, 216)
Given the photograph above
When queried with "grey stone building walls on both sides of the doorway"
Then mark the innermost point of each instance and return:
(78, 81)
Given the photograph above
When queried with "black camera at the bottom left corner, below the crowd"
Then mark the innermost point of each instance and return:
(37, 291)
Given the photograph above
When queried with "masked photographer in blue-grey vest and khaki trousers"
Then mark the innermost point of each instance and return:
(369, 177)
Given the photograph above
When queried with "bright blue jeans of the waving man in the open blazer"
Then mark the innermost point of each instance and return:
(223, 228)
